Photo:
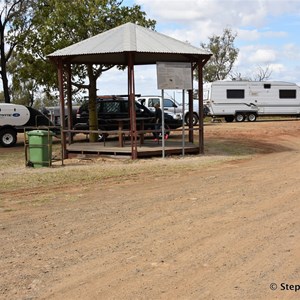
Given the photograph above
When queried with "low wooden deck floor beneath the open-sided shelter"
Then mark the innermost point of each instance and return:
(147, 149)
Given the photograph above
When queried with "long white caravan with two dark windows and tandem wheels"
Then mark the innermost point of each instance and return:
(241, 100)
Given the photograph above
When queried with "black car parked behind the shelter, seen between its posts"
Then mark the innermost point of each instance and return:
(112, 109)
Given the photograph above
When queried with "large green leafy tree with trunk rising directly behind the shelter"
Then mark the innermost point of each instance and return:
(59, 23)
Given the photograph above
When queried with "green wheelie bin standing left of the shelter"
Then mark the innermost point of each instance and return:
(40, 148)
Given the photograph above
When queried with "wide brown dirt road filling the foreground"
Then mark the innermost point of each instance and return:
(228, 230)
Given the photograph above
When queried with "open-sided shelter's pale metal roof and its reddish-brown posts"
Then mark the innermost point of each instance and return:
(130, 45)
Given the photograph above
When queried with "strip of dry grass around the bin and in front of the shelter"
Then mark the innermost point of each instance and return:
(15, 175)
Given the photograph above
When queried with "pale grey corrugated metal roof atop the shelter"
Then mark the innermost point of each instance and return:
(110, 46)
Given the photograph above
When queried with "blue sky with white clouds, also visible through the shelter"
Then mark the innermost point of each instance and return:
(267, 35)
